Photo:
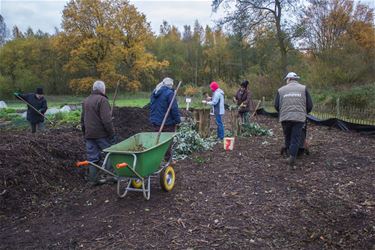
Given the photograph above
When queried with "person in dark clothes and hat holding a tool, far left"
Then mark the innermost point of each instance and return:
(36, 108)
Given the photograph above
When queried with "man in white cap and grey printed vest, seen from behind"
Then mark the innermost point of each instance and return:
(293, 102)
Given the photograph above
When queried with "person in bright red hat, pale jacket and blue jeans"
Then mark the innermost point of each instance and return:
(218, 104)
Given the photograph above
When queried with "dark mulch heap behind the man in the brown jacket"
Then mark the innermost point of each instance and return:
(34, 166)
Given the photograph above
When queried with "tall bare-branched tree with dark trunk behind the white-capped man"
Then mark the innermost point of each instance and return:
(250, 15)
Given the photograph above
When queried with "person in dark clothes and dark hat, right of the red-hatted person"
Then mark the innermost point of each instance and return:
(244, 102)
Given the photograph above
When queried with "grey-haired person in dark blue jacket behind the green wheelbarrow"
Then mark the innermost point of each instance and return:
(161, 97)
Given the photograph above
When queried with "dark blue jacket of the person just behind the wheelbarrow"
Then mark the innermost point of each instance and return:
(159, 105)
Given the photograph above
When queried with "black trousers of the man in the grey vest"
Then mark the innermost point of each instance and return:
(292, 136)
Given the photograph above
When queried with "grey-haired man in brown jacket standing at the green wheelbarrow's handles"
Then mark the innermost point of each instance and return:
(97, 126)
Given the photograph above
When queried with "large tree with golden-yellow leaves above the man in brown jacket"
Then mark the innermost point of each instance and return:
(106, 40)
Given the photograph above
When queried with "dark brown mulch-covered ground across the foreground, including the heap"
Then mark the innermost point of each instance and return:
(241, 199)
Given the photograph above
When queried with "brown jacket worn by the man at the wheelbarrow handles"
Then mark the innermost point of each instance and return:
(96, 117)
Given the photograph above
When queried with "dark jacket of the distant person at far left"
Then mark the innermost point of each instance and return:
(40, 104)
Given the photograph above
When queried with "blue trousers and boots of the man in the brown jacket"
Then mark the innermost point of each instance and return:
(94, 149)
